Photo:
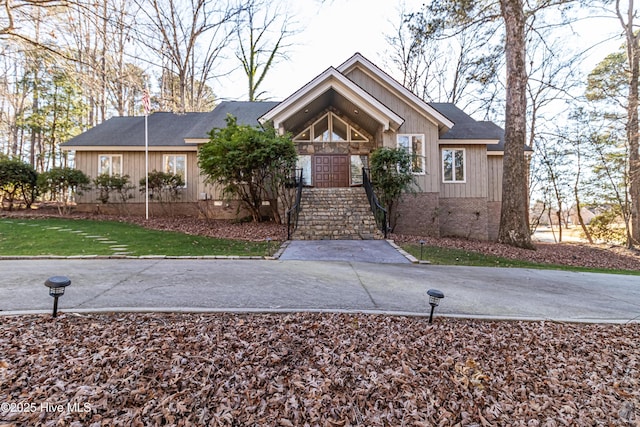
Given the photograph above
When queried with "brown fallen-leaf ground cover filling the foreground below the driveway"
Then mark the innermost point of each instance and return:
(314, 369)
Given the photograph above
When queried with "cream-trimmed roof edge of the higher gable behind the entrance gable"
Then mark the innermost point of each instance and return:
(359, 61)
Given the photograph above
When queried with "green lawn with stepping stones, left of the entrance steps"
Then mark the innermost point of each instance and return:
(68, 237)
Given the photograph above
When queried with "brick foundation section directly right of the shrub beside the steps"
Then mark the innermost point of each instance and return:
(418, 215)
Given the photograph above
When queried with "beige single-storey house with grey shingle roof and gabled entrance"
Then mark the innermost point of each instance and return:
(336, 121)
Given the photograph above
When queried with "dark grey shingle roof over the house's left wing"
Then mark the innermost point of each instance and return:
(168, 129)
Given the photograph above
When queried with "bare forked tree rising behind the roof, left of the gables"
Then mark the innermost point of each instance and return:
(262, 30)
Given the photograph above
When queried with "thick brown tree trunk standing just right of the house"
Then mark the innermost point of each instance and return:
(514, 227)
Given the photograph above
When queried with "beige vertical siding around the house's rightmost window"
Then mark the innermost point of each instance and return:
(476, 183)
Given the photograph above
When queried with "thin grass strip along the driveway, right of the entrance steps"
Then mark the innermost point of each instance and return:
(447, 256)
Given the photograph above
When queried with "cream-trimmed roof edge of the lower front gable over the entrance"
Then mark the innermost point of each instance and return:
(331, 79)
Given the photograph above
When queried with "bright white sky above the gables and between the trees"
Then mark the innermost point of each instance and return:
(331, 31)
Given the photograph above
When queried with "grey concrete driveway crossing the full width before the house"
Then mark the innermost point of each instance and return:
(263, 285)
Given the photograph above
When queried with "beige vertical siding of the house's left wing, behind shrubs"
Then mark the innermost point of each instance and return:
(133, 164)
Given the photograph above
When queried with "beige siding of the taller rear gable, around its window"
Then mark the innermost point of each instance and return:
(414, 123)
